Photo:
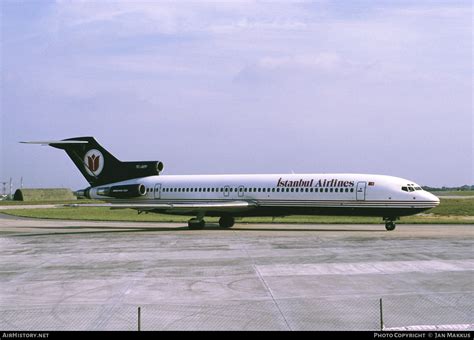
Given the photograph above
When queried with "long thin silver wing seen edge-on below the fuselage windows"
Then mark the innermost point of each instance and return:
(174, 207)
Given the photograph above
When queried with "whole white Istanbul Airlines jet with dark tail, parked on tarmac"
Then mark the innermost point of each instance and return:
(140, 186)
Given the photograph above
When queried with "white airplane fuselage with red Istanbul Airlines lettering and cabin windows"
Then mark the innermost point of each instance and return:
(274, 195)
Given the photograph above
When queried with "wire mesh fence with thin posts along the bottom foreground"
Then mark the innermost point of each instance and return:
(442, 312)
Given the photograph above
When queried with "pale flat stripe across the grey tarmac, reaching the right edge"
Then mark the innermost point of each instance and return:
(356, 268)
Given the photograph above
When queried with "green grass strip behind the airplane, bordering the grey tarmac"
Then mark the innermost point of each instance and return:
(449, 211)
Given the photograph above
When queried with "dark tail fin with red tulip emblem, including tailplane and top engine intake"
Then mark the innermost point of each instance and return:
(98, 165)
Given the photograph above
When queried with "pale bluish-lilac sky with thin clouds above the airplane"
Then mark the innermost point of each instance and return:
(380, 87)
